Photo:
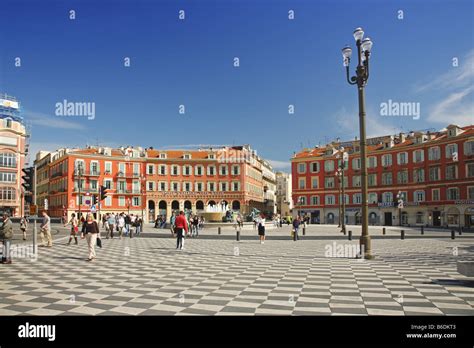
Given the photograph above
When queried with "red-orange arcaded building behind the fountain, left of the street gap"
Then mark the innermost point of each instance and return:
(150, 182)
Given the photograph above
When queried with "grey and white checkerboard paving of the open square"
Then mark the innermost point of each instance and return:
(148, 276)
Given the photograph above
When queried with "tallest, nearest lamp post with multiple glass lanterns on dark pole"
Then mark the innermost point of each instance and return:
(364, 47)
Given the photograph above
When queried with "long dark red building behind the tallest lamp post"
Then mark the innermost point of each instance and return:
(433, 173)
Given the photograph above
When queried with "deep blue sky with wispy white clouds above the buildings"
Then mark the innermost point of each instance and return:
(190, 62)
